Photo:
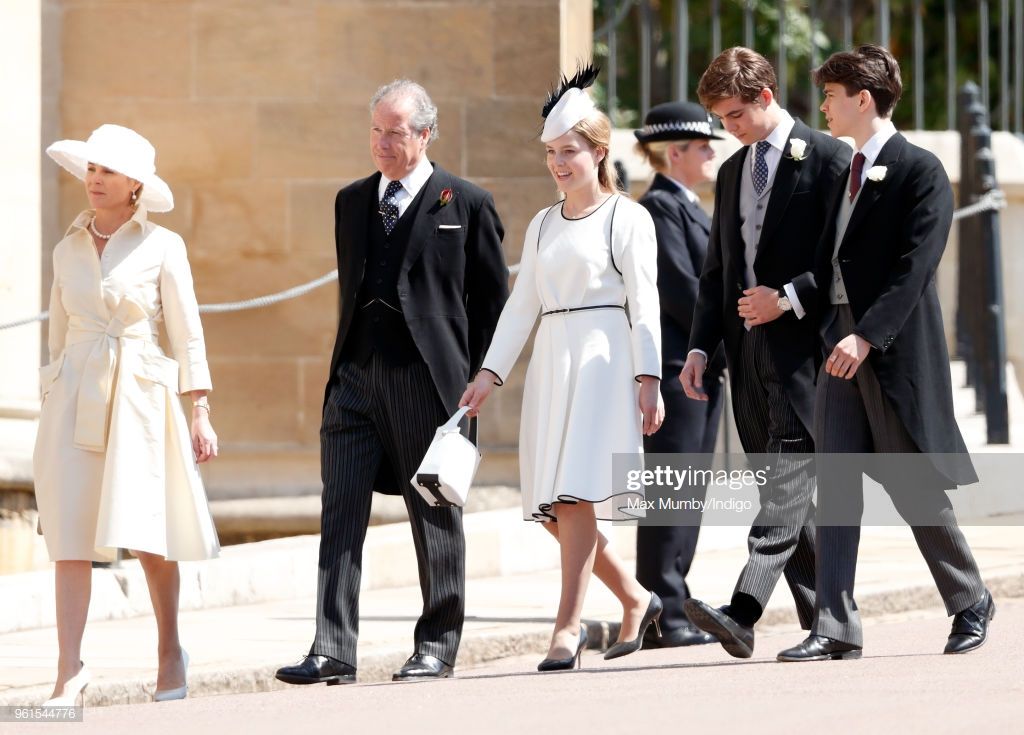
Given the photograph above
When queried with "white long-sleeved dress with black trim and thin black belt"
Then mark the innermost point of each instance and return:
(580, 404)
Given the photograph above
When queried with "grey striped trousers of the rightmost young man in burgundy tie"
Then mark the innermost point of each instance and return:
(855, 416)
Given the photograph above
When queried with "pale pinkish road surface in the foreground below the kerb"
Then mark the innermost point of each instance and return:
(903, 684)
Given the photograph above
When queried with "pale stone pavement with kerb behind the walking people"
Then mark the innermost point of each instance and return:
(237, 647)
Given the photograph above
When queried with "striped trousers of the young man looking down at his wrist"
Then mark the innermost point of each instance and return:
(767, 424)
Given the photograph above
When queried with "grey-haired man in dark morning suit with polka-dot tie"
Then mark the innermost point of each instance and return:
(423, 281)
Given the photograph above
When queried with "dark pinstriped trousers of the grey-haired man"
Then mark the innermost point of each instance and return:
(382, 413)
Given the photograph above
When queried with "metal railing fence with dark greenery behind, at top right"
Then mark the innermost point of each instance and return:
(656, 51)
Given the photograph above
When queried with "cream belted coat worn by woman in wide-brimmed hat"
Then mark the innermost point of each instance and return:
(114, 465)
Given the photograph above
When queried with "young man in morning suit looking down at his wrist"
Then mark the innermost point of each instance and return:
(772, 199)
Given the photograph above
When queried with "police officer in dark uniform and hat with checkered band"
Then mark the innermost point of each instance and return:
(676, 142)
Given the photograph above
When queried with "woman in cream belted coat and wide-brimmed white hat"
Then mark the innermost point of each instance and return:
(115, 462)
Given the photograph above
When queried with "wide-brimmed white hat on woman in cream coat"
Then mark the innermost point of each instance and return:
(121, 150)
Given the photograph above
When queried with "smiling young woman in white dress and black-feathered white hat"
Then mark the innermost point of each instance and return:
(592, 385)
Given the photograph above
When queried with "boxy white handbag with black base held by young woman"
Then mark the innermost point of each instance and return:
(448, 468)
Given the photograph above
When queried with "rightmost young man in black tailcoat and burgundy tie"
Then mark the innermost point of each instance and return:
(884, 385)
